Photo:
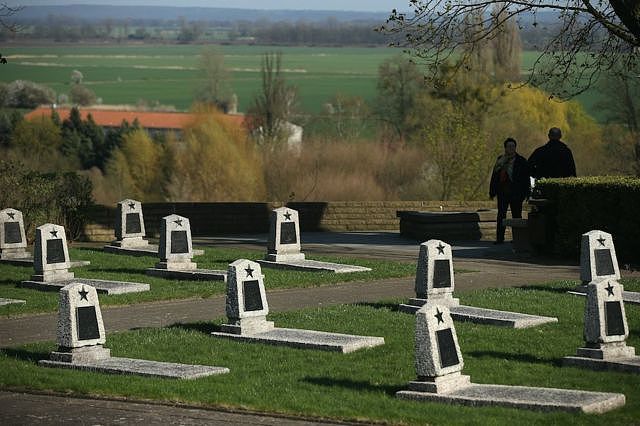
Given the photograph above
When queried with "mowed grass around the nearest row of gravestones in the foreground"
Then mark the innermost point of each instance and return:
(360, 385)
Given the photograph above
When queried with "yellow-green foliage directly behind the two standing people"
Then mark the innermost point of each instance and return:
(527, 114)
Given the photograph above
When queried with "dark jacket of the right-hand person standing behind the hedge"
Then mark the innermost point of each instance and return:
(554, 159)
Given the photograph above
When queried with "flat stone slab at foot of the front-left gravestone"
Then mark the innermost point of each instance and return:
(114, 365)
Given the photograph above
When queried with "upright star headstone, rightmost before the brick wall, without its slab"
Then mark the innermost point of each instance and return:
(284, 236)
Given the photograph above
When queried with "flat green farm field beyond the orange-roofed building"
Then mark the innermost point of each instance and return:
(168, 74)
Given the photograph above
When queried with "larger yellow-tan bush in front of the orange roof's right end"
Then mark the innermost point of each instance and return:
(216, 162)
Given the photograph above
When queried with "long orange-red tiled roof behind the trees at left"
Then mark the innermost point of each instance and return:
(113, 118)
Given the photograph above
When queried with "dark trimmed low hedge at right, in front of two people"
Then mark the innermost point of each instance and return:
(607, 203)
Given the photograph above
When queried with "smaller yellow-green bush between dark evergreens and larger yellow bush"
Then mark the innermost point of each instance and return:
(136, 168)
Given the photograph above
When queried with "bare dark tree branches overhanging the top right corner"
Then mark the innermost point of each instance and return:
(590, 36)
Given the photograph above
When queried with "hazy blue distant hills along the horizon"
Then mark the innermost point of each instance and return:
(167, 13)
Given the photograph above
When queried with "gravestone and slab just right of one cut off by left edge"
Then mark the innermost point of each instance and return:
(51, 266)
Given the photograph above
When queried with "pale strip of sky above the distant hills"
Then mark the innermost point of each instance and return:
(357, 5)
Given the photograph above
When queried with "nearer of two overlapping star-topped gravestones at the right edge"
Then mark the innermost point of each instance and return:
(605, 331)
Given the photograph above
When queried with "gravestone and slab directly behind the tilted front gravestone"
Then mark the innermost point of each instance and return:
(435, 283)
